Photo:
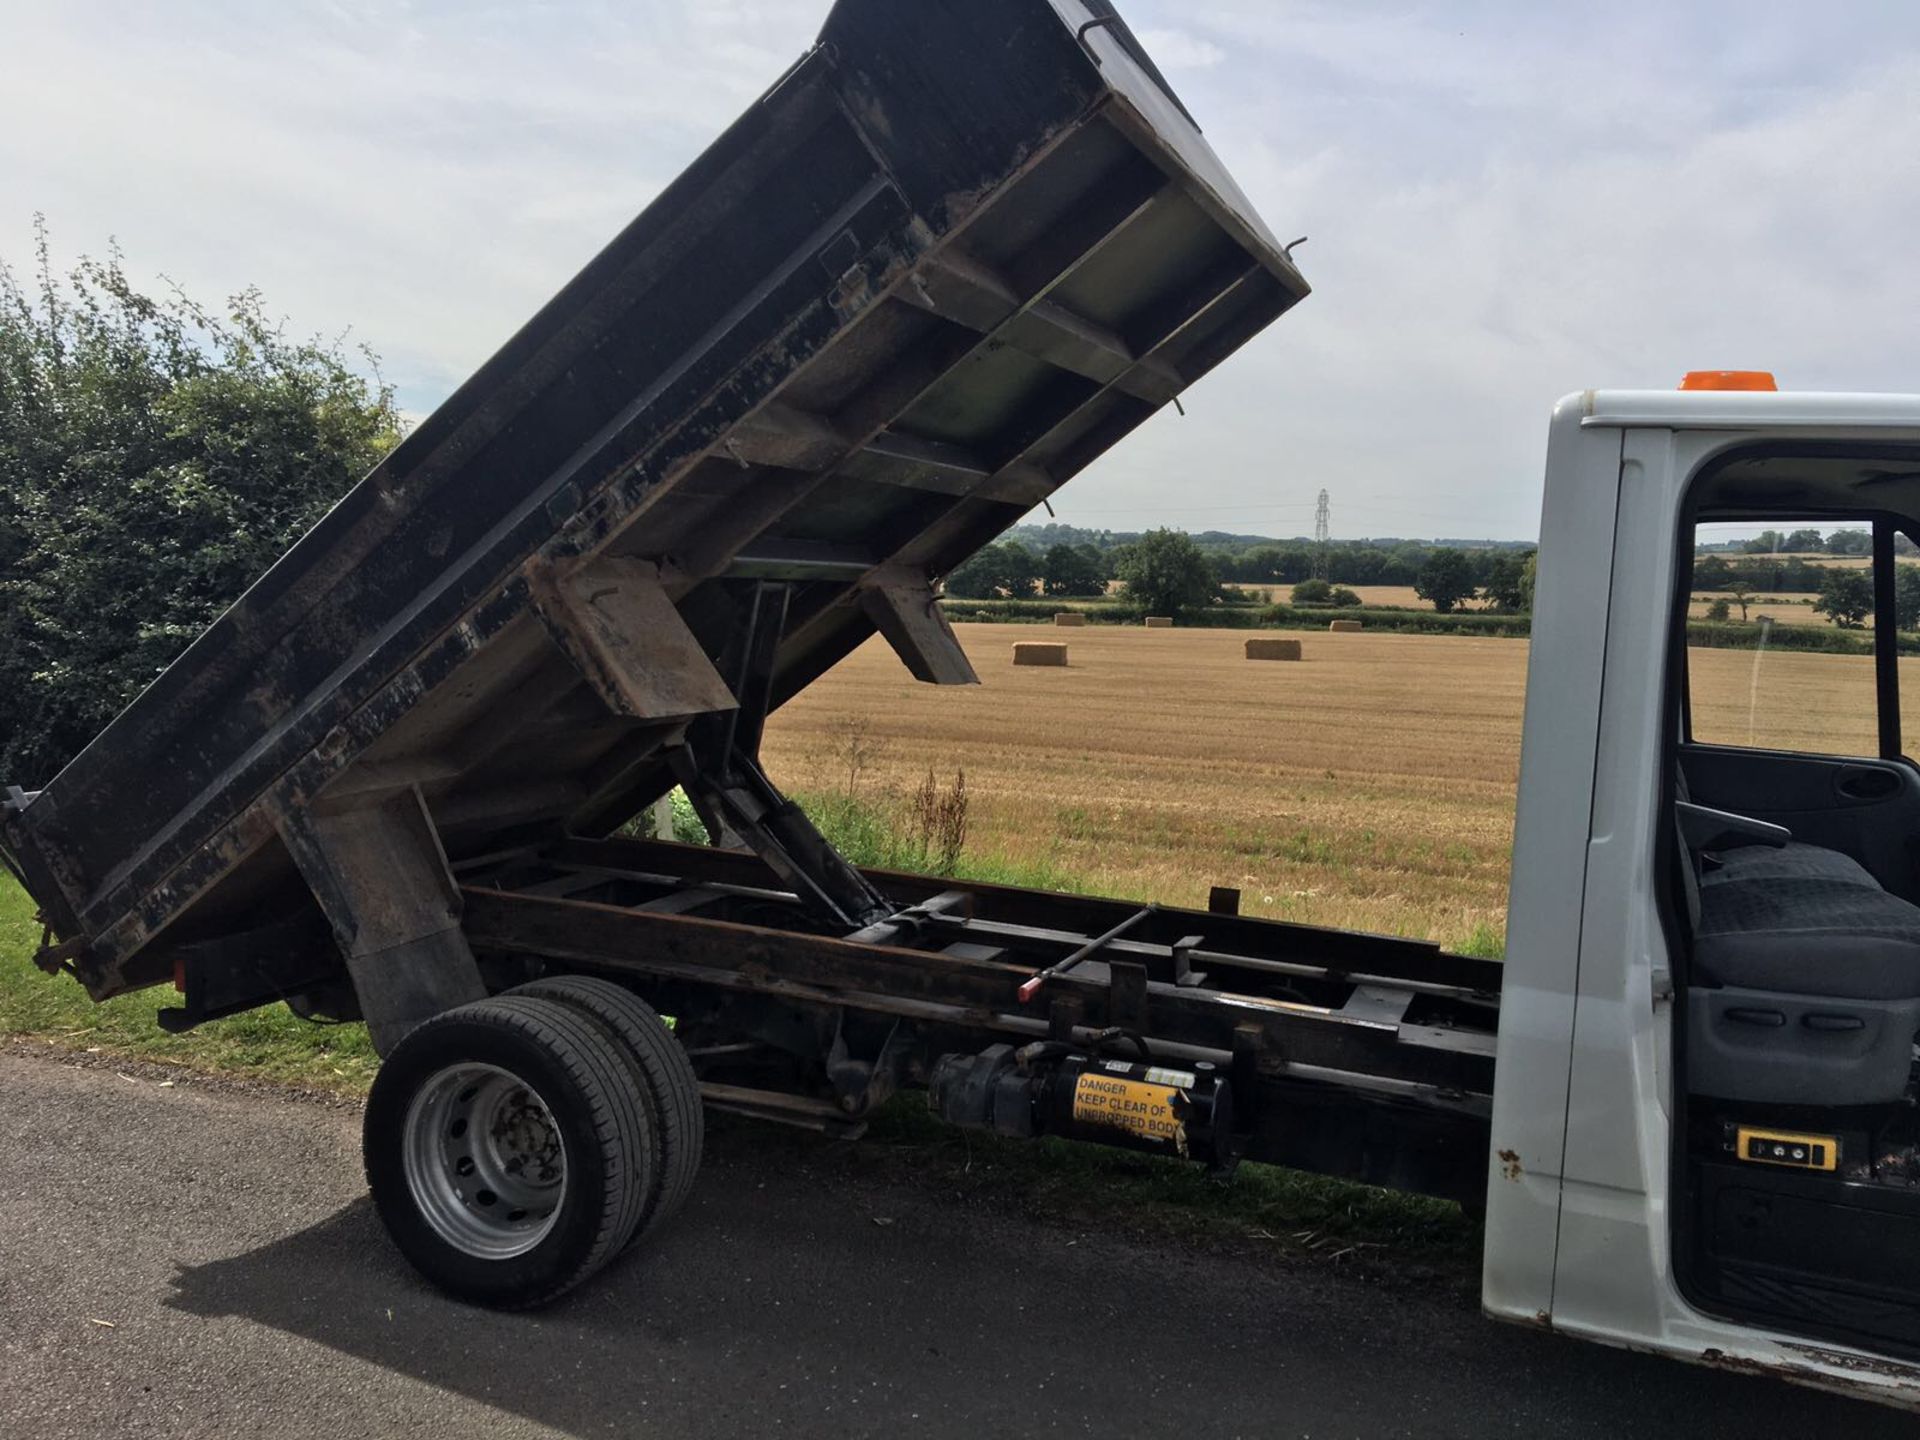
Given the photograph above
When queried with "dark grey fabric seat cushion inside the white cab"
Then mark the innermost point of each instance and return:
(1806, 921)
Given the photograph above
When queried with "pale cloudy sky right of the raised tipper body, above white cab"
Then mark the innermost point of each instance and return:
(1514, 218)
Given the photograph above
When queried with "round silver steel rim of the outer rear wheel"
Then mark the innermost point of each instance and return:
(485, 1161)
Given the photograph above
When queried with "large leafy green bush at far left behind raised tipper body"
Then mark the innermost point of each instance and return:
(155, 460)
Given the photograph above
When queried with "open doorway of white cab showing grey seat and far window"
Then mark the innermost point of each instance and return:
(1798, 959)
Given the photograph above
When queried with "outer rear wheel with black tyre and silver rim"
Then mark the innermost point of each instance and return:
(508, 1151)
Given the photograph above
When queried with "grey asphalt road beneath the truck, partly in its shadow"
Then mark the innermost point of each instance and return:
(201, 1260)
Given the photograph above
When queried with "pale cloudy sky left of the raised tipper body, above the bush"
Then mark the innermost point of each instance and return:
(425, 174)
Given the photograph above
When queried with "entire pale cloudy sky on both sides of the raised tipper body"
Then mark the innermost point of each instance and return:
(1504, 203)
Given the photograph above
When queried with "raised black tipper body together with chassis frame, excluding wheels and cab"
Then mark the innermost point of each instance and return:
(951, 258)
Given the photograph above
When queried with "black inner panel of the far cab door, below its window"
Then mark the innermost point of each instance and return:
(1867, 809)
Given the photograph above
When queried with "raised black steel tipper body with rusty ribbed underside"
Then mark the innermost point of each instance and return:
(940, 268)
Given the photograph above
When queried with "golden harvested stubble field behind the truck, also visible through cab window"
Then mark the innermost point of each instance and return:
(1370, 786)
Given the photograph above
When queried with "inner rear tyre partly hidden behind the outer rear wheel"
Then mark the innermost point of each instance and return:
(661, 1072)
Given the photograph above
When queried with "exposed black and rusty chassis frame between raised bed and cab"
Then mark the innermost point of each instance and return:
(1351, 1055)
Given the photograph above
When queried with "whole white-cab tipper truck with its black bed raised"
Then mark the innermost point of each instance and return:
(959, 252)
